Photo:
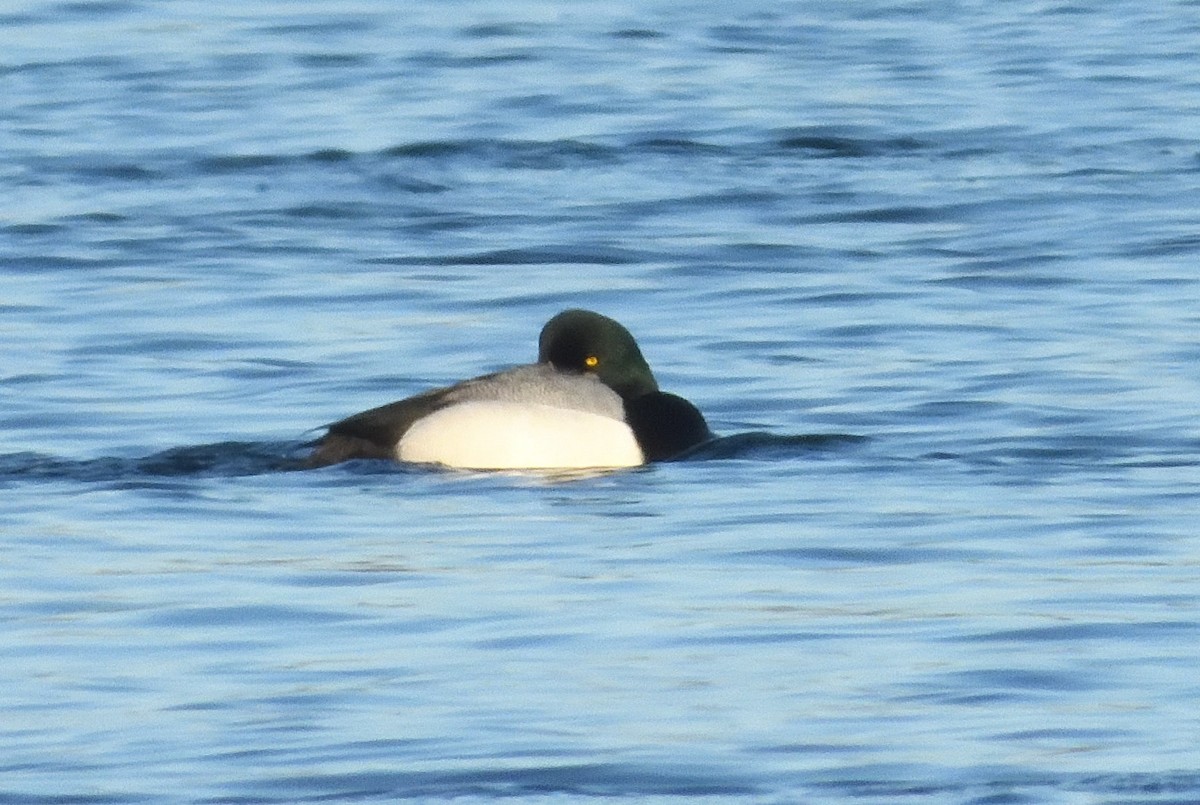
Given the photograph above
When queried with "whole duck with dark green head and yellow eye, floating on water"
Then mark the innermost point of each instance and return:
(589, 402)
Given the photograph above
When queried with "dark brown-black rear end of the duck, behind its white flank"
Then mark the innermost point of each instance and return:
(374, 434)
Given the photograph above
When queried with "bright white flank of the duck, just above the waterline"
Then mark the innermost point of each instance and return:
(496, 435)
